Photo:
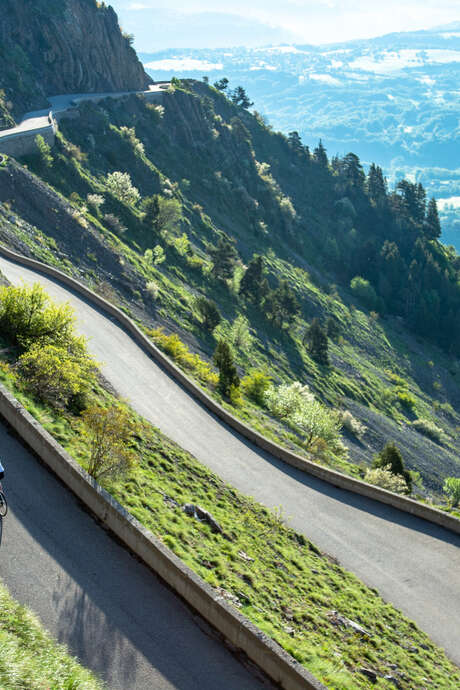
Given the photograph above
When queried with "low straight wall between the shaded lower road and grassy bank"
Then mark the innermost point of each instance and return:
(265, 653)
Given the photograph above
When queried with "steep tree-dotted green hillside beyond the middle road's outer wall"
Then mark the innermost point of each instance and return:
(363, 260)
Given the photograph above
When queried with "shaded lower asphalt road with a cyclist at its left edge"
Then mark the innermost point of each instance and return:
(112, 612)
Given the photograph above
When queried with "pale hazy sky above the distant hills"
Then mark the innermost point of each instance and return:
(161, 24)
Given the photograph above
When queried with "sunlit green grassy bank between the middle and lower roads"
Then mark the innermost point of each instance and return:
(276, 577)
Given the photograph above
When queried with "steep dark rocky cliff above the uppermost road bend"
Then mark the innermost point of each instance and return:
(49, 47)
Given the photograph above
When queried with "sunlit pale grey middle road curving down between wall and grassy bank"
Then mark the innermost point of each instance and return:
(415, 565)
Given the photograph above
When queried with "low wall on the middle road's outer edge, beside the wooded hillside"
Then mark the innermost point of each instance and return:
(338, 479)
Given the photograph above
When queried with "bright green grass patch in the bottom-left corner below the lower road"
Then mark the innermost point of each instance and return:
(30, 659)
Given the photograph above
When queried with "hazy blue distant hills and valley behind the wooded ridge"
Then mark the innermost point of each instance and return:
(393, 99)
